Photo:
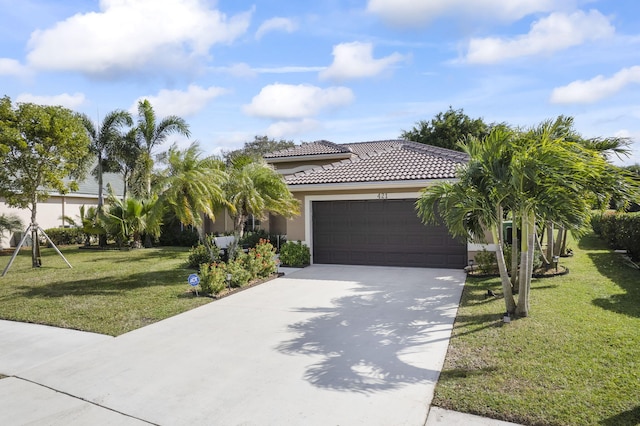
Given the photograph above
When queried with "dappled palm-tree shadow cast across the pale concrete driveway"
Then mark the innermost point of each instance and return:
(386, 333)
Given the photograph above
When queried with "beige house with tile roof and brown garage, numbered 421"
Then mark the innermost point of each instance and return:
(358, 203)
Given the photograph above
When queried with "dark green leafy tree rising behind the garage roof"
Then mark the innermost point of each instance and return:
(447, 129)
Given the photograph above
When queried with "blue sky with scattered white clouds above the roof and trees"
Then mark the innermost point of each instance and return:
(344, 71)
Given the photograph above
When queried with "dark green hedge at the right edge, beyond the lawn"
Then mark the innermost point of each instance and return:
(620, 230)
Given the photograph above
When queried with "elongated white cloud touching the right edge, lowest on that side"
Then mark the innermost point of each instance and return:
(599, 87)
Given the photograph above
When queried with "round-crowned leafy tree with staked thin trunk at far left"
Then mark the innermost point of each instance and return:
(40, 148)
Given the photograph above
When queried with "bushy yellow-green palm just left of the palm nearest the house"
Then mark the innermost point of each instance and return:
(191, 186)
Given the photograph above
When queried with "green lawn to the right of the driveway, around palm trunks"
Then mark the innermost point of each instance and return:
(574, 361)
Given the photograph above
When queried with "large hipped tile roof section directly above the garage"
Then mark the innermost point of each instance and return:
(383, 161)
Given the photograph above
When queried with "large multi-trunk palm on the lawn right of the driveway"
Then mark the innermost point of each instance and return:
(538, 174)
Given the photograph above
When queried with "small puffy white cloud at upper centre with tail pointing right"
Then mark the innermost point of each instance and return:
(355, 60)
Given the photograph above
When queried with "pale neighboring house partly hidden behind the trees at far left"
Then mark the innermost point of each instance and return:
(51, 211)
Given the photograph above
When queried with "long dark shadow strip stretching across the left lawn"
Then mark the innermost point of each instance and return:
(104, 286)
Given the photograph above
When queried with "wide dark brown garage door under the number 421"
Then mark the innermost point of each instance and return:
(381, 232)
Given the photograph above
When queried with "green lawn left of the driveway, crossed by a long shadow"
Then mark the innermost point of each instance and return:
(110, 292)
